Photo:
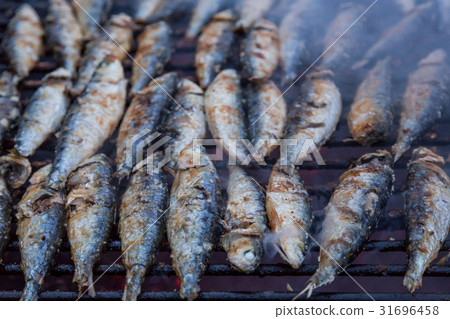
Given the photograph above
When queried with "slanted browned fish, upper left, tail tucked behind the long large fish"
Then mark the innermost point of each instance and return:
(120, 29)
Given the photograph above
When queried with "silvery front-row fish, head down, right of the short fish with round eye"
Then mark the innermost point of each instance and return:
(290, 214)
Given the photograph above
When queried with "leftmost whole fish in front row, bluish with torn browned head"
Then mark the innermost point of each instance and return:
(40, 229)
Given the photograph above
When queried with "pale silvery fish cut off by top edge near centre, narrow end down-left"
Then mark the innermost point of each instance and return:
(203, 13)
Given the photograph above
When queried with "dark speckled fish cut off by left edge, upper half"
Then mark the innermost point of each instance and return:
(9, 104)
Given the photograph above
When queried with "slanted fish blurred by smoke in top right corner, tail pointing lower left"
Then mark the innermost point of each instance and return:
(400, 35)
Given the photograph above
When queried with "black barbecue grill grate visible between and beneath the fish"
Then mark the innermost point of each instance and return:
(379, 268)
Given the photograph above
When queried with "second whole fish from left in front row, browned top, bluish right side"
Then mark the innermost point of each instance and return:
(90, 206)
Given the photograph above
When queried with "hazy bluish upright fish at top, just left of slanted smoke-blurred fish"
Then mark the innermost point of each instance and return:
(342, 54)
